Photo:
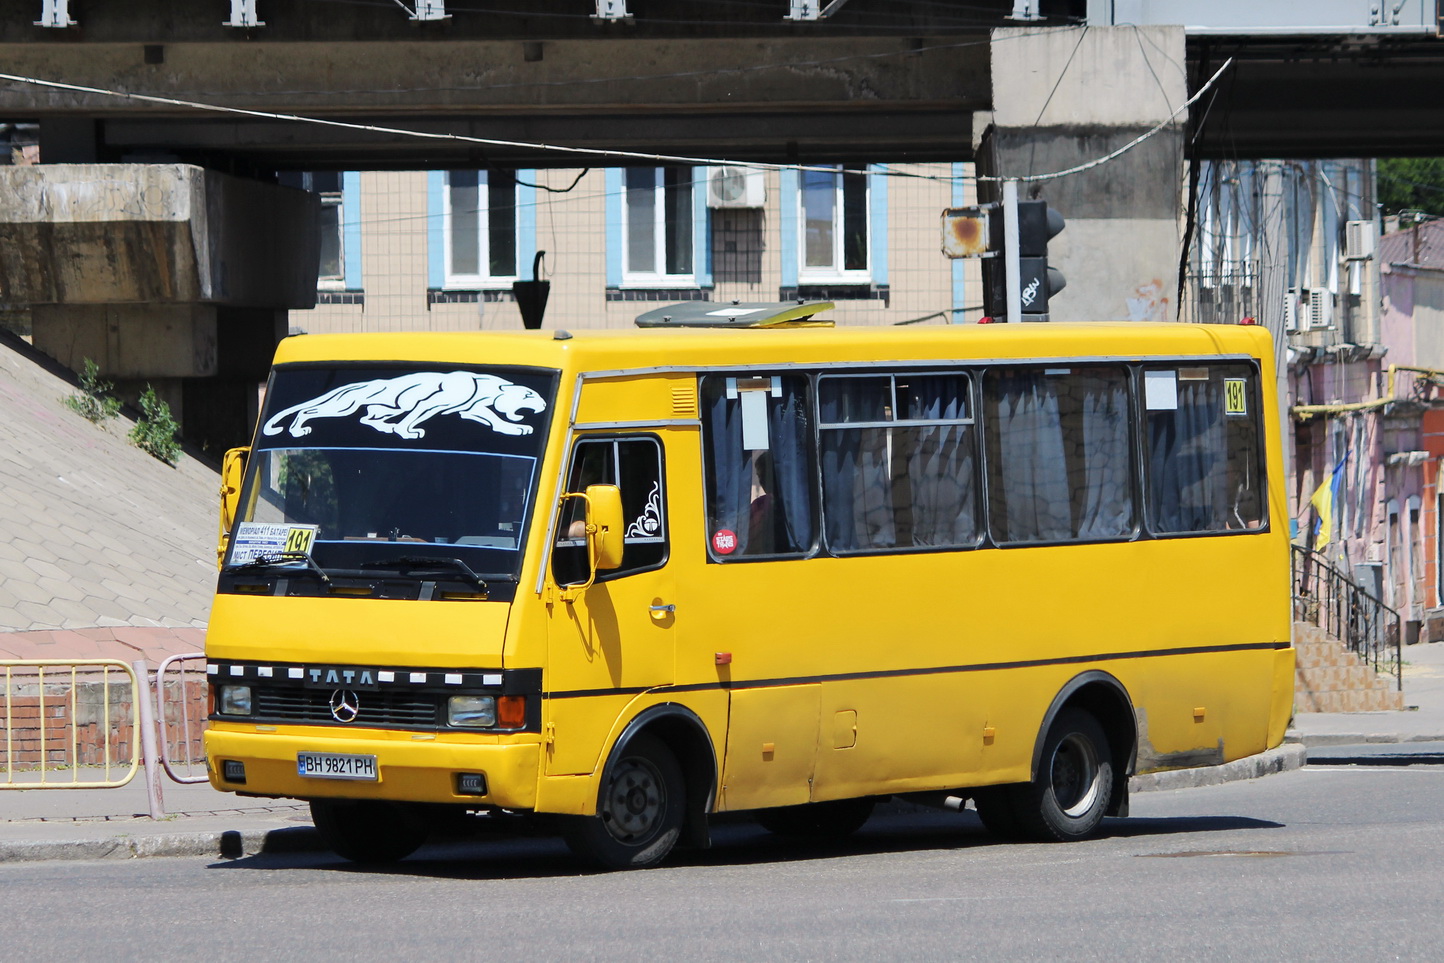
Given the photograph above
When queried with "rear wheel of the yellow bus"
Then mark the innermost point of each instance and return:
(1069, 796)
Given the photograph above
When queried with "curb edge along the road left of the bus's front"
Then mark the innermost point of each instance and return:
(220, 845)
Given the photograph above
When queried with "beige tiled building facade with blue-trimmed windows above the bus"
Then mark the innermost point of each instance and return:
(441, 250)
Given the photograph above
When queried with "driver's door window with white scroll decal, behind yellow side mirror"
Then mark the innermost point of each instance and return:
(635, 466)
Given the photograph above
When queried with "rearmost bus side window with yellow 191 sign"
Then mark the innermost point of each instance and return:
(1205, 469)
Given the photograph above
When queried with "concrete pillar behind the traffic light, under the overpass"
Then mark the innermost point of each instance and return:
(1065, 97)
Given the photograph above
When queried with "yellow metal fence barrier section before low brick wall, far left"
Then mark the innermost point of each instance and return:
(70, 724)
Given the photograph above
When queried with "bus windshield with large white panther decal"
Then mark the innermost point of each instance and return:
(369, 469)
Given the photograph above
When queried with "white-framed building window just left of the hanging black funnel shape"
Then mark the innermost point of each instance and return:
(482, 229)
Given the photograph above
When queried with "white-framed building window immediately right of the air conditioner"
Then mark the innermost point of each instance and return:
(835, 226)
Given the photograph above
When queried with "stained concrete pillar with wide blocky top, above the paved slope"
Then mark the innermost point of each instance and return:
(162, 275)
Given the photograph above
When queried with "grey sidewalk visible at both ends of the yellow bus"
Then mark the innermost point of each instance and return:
(203, 822)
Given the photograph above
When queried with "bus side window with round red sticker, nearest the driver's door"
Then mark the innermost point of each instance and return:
(759, 466)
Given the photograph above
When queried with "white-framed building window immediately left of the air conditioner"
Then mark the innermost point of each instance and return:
(658, 227)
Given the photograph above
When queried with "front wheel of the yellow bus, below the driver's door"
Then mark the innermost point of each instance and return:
(640, 809)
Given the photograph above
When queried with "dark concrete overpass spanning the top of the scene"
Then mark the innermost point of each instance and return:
(908, 80)
